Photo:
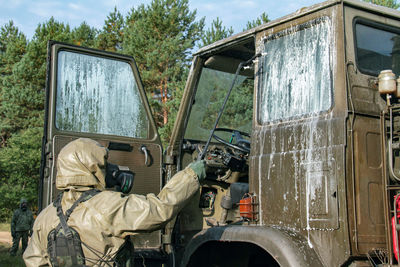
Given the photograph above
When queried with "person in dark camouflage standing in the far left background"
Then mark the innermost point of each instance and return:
(21, 226)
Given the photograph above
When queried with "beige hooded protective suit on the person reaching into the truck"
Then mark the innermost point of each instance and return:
(105, 219)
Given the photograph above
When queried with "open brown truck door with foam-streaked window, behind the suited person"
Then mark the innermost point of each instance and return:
(99, 95)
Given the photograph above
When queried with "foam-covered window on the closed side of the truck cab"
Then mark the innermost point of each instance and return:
(297, 72)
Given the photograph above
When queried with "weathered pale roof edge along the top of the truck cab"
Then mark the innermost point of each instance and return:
(385, 11)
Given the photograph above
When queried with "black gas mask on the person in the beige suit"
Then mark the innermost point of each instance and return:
(119, 177)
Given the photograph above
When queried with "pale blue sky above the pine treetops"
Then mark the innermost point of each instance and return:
(27, 14)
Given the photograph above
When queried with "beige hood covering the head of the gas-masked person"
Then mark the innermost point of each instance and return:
(81, 163)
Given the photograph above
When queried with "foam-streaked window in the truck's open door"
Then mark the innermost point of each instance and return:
(98, 95)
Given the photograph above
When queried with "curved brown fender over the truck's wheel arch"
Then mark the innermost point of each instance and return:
(287, 247)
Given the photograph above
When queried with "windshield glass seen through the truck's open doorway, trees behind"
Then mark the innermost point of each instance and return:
(211, 91)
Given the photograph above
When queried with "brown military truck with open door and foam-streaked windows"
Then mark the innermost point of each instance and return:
(302, 149)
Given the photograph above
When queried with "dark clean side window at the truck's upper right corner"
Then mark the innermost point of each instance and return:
(377, 48)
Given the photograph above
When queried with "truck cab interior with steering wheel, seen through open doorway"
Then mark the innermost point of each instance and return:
(227, 156)
